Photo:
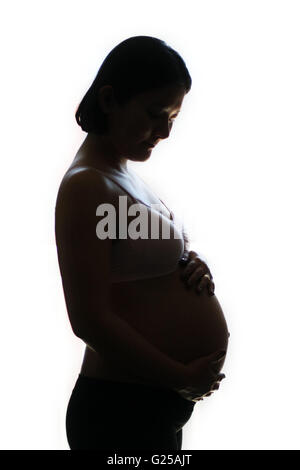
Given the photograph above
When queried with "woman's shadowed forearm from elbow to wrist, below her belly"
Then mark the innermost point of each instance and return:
(120, 344)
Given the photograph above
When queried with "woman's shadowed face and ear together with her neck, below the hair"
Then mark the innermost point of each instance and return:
(133, 128)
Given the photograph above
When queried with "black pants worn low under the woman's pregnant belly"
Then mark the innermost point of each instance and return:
(106, 415)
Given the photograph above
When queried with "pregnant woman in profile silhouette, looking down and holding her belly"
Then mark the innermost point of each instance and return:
(155, 343)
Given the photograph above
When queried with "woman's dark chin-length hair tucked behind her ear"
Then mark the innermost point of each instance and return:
(136, 65)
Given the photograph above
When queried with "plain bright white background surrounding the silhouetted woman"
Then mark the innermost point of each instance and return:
(230, 167)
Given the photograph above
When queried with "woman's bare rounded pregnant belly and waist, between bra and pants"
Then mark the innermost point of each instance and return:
(178, 321)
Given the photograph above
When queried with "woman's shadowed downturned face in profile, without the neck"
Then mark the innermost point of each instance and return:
(144, 120)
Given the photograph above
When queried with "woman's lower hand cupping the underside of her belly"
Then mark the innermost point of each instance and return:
(204, 376)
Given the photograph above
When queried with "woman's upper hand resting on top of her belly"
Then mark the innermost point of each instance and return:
(196, 273)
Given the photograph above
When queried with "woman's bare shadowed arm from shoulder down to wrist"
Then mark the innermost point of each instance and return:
(84, 262)
